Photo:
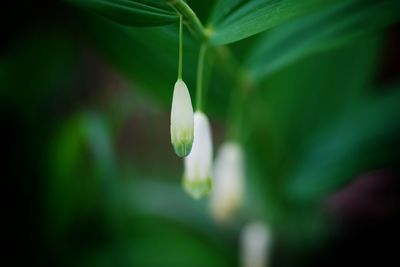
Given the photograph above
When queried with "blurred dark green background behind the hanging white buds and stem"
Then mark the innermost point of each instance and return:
(90, 177)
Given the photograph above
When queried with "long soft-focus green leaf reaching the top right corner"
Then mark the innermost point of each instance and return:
(325, 29)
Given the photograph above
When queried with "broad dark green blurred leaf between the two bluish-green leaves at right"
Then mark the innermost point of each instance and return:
(297, 102)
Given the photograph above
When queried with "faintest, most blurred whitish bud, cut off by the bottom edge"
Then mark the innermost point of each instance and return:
(255, 245)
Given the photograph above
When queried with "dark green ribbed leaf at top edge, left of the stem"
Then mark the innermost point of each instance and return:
(131, 12)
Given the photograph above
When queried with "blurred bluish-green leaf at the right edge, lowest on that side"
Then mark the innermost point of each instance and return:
(362, 139)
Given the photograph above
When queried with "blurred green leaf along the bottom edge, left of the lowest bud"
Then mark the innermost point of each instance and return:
(153, 241)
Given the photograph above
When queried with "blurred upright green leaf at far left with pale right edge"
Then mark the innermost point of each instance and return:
(82, 162)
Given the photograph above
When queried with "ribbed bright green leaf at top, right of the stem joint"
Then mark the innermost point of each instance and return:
(237, 20)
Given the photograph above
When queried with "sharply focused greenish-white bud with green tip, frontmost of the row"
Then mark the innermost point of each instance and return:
(181, 120)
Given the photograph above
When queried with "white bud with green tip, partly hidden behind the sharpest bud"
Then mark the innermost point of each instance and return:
(197, 174)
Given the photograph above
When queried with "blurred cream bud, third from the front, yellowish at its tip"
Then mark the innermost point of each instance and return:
(227, 193)
